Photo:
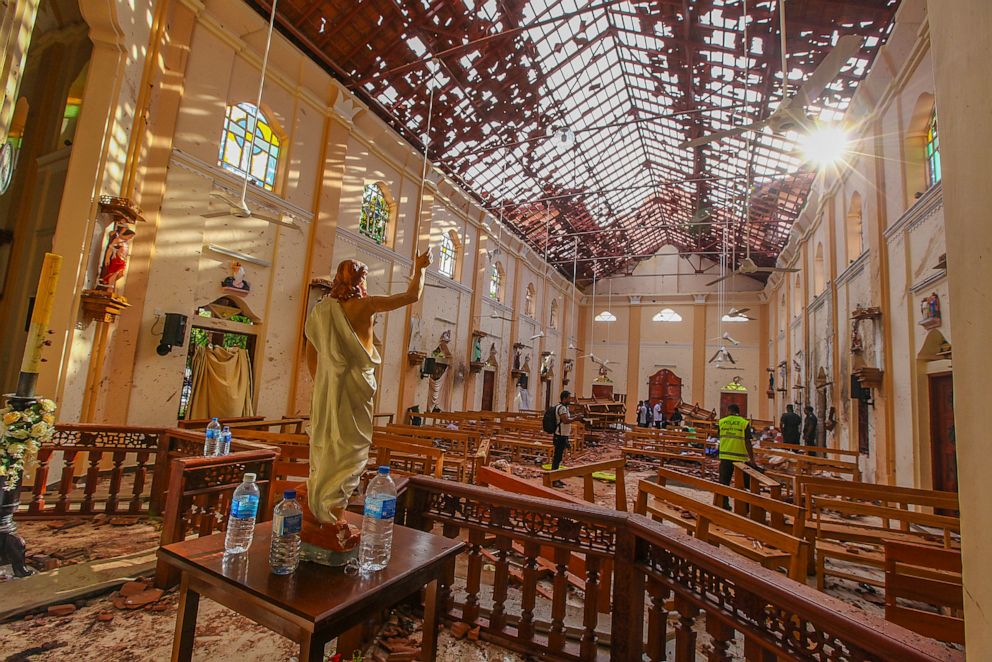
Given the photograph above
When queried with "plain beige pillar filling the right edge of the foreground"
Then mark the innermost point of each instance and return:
(959, 40)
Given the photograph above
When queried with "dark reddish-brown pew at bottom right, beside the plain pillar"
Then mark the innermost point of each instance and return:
(922, 574)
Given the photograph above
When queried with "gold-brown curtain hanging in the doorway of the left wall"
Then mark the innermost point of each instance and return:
(221, 383)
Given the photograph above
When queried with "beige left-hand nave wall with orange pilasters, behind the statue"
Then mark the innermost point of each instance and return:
(332, 148)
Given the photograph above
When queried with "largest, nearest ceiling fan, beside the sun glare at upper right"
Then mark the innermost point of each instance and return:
(791, 113)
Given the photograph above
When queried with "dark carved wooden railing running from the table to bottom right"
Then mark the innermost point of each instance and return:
(749, 612)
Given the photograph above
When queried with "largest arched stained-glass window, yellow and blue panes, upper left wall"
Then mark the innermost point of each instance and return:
(243, 149)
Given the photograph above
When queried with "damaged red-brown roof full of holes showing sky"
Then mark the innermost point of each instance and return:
(565, 118)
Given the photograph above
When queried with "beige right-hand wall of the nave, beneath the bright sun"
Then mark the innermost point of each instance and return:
(901, 239)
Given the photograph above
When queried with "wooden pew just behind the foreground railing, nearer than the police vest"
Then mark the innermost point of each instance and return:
(768, 546)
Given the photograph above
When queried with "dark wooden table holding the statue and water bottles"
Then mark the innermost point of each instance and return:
(316, 603)
